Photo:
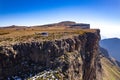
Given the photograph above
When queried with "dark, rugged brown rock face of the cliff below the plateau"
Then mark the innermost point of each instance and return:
(74, 58)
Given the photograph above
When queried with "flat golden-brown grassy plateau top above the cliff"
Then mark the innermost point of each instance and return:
(25, 34)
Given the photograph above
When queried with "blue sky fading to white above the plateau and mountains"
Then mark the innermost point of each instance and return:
(102, 14)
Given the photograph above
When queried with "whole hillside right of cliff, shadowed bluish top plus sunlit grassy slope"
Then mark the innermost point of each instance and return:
(110, 66)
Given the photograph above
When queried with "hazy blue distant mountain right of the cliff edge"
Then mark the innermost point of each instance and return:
(113, 47)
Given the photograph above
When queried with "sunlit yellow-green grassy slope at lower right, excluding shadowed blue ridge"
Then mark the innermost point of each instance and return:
(110, 72)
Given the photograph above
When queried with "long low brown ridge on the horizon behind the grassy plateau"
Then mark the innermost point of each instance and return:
(65, 24)
